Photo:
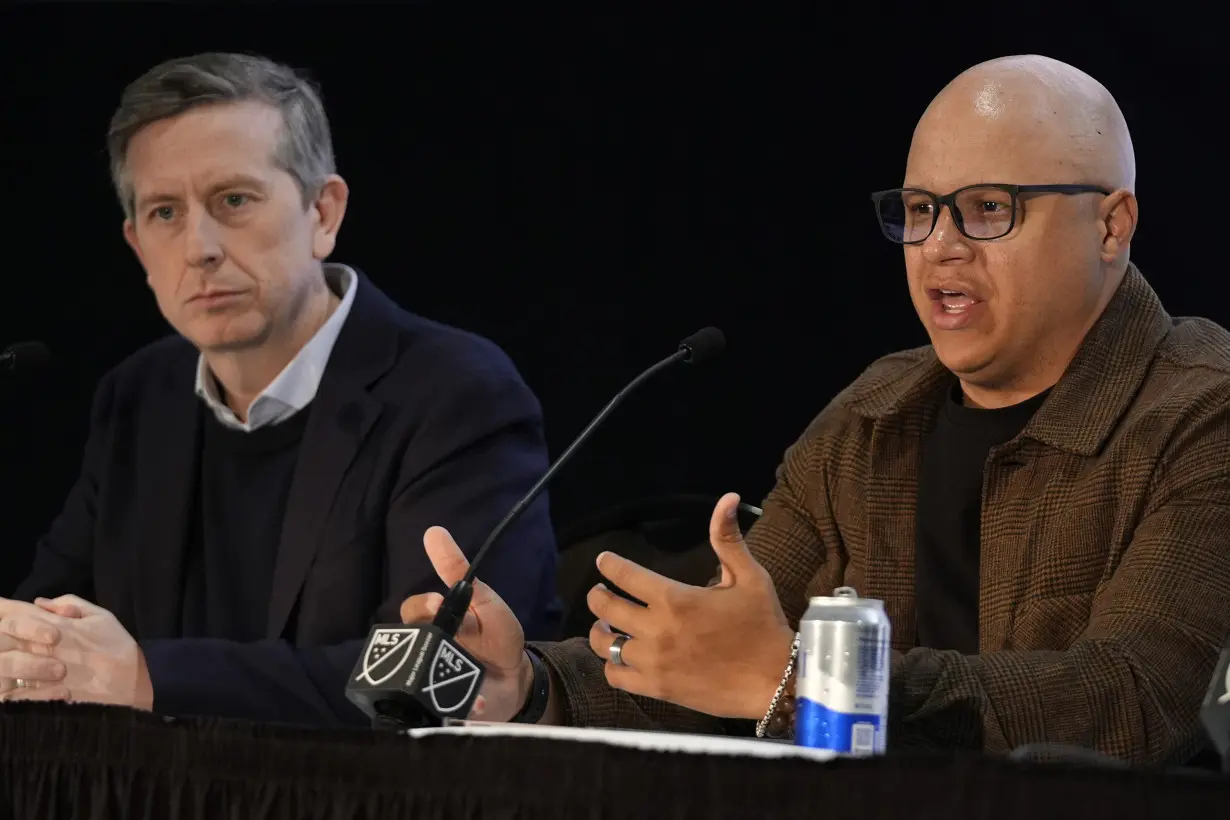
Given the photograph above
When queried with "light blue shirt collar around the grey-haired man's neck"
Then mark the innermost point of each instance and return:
(298, 383)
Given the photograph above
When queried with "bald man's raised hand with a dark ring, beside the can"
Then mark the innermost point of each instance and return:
(715, 650)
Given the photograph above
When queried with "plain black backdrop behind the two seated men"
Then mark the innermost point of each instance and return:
(585, 189)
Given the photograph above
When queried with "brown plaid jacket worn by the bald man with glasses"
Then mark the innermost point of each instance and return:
(1105, 548)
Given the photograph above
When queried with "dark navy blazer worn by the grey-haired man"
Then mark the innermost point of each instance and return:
(415, 425)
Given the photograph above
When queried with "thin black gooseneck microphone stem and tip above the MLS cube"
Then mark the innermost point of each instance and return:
(698, 349)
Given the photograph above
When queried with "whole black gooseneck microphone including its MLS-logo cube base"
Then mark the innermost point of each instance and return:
(415, 676)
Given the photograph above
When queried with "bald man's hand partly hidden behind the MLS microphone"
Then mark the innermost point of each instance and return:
(490, 631)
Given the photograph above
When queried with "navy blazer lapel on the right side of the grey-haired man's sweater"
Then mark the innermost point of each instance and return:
(343, 416)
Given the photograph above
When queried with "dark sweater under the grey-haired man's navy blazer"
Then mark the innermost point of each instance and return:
(242, 501)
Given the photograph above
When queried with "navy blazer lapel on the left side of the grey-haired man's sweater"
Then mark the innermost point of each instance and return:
(167, 481)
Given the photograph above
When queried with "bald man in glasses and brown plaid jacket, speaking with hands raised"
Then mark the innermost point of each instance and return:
(1041, 497)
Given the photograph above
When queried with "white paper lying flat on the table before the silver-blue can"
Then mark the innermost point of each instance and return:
(645, 741)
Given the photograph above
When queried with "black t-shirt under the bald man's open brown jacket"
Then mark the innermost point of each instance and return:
(949, 517)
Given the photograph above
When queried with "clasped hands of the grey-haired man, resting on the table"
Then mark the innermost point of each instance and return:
(69, 650)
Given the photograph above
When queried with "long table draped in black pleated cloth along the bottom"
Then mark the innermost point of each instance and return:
(66, 762)
